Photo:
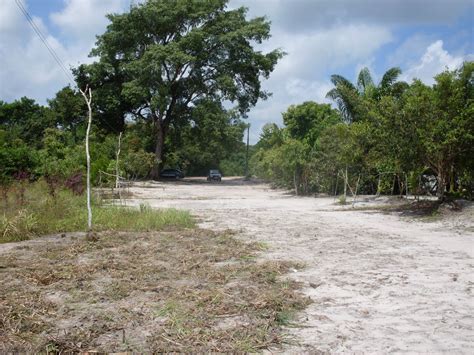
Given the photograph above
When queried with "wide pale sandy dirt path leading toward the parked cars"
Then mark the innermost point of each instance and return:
(379, 283)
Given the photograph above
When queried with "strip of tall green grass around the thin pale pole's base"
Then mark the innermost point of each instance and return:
(42, 214)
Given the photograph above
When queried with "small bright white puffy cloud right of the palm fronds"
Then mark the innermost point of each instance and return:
(434, 60)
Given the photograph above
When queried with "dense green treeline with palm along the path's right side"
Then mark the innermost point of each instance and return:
(383, 138)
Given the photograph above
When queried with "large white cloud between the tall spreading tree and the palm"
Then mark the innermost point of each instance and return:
(302, 75)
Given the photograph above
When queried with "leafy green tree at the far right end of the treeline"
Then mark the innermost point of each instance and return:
(442, 116)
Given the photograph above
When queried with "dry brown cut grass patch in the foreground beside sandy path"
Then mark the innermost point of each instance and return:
(144, 292)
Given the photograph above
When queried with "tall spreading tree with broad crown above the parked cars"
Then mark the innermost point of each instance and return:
(164, 56)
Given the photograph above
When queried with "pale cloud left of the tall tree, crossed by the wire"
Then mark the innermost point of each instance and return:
(26, 66)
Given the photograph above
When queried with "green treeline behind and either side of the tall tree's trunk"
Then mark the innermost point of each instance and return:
(48, 141)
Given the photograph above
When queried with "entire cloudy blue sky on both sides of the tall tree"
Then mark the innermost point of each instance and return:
(320, 37)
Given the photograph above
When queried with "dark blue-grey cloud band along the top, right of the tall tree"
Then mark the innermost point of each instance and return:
(297, 16)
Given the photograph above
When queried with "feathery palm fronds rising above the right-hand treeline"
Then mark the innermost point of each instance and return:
(350, 98)
